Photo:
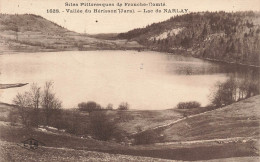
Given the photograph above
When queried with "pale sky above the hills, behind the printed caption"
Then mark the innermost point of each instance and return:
(93, 23)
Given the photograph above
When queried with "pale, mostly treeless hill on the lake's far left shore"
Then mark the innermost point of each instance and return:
(33, 33)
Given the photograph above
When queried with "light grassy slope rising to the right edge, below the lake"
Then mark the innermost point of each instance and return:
(241, 119)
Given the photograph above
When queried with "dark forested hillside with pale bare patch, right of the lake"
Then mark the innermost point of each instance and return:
(229, 37)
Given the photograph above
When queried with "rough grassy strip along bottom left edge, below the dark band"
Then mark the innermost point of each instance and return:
(12, 152)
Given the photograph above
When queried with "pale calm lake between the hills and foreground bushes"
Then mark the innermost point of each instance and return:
(146, 80)
